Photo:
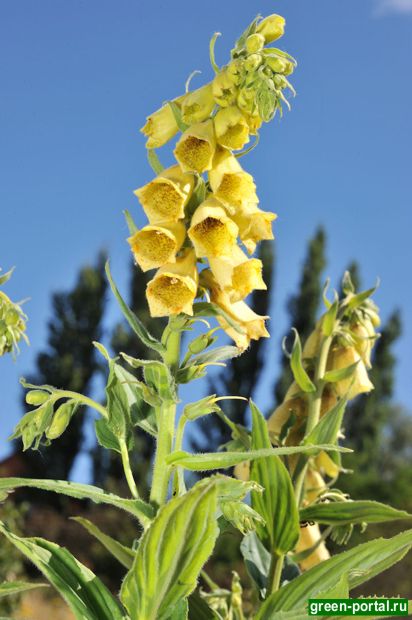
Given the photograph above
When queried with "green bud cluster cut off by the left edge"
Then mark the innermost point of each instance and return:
(12, 322)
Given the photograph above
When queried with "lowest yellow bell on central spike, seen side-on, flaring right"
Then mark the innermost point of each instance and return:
(252, 325)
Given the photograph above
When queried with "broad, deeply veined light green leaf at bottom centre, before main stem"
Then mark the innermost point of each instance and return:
(171, 553)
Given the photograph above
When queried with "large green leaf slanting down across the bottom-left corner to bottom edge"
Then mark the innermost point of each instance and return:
(86, 595)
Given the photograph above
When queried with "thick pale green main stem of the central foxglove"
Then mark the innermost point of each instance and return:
(165, 421)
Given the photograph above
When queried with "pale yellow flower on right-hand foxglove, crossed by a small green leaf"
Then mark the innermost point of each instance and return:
(359, 382)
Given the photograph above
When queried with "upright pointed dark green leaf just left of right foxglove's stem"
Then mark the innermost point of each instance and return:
(277, 504)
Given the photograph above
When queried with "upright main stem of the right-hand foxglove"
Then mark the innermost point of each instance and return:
(315, 403)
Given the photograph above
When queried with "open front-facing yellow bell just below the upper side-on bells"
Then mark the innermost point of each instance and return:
(196, 148)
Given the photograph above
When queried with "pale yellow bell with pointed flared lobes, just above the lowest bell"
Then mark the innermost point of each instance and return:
(238, 275)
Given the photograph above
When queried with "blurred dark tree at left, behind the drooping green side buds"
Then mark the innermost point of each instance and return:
(70, 363)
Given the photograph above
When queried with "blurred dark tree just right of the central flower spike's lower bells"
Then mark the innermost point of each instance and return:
(241, 375)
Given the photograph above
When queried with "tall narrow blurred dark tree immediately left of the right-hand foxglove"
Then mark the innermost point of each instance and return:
(303, 307)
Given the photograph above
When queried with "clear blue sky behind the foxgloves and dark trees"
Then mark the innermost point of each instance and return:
(79, 77)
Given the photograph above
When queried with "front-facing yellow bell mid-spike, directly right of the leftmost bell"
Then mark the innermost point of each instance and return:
(211, 231)
